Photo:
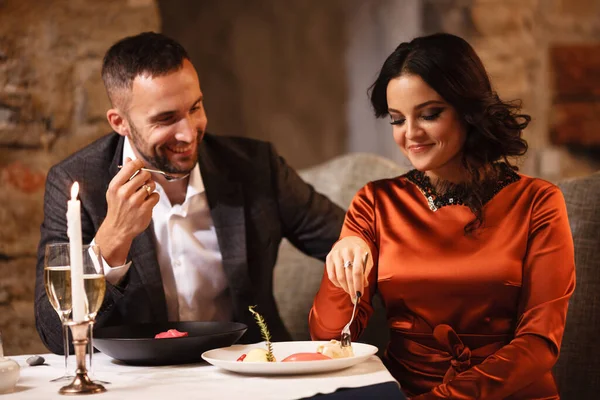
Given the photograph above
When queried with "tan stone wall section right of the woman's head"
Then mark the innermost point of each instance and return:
(514, 39)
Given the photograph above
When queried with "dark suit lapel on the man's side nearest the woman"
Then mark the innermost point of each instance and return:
(226, 201)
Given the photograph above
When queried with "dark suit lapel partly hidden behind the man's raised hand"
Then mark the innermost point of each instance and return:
(143, 255)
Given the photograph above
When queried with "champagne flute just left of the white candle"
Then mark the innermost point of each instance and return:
(57, 281)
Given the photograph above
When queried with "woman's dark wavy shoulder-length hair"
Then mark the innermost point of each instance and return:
(450, 66)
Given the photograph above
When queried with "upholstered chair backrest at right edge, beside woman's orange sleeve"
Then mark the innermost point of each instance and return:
(578, 368)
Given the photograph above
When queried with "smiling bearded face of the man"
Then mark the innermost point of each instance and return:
(166, 119)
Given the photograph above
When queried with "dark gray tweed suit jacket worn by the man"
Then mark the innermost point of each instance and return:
(255, 199)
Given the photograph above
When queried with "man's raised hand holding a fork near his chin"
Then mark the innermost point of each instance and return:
(130, 203)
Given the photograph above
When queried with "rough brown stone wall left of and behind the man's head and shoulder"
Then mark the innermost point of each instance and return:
(52, 102)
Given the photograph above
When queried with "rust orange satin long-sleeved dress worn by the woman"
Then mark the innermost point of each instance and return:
(470, 317)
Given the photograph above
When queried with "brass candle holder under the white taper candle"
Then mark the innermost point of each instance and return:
(82, 384)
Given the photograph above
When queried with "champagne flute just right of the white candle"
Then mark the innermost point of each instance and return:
(95, 287)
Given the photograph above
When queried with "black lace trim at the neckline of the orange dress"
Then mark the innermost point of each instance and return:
(453, 195)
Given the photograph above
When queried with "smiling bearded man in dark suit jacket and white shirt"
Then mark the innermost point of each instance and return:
(200, 246)
